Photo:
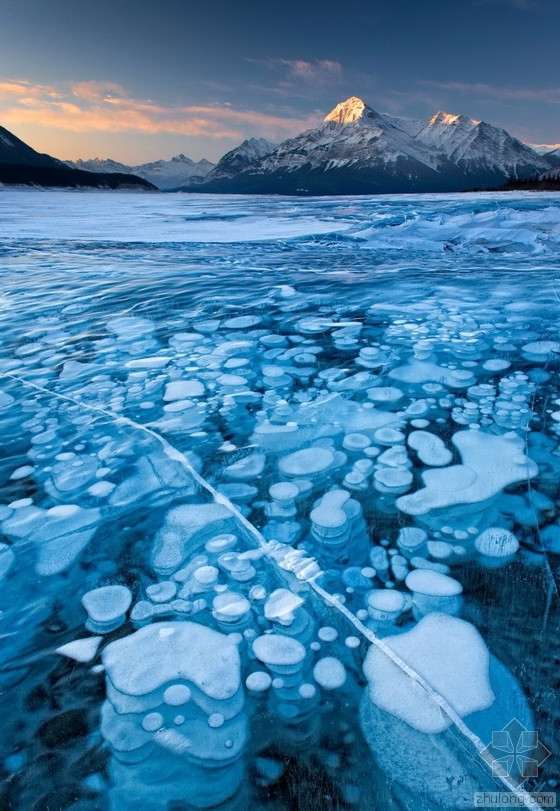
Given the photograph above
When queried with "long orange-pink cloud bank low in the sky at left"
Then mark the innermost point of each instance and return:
(94, 106)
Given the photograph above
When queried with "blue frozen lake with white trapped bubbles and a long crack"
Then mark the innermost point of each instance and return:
(279, 500)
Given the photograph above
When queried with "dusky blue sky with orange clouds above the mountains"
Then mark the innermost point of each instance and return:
(139, 80)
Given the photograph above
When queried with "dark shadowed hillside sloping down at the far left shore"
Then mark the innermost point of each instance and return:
(21, 165)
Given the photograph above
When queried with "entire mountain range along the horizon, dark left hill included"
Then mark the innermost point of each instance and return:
(355, 151)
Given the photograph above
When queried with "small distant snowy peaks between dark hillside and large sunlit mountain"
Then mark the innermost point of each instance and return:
(179, 171)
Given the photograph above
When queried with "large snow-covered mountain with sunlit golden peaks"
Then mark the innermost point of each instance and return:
(357, 150)
